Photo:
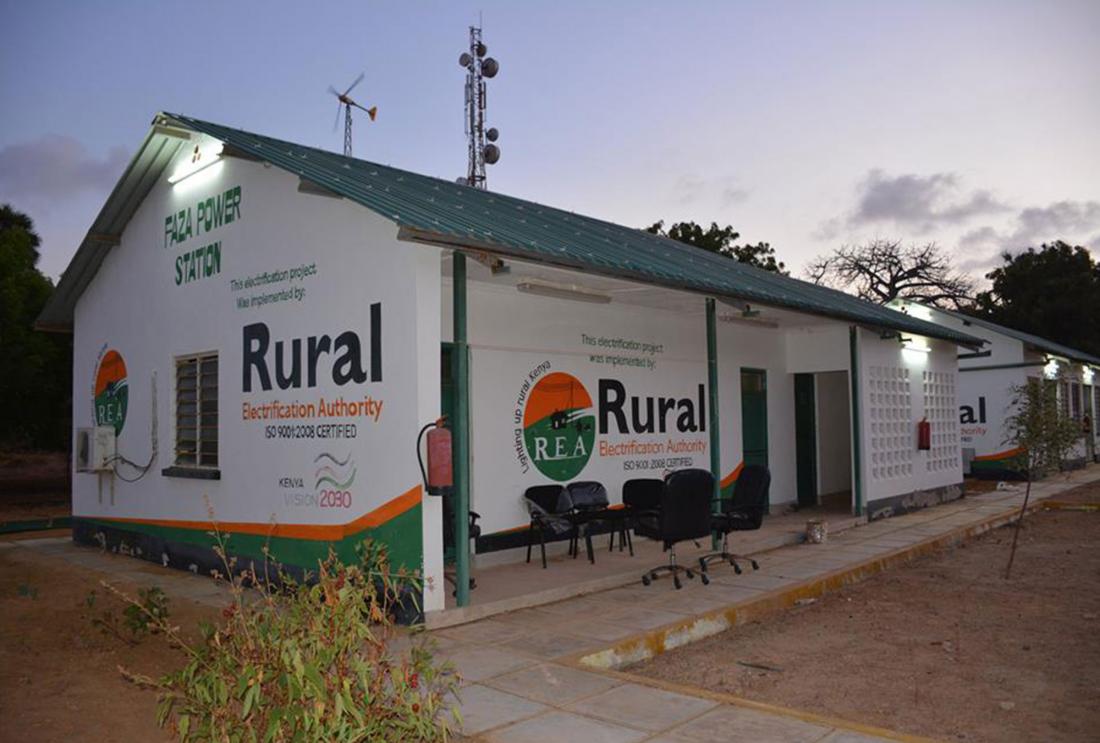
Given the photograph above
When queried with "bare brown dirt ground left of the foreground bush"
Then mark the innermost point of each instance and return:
(59, 674)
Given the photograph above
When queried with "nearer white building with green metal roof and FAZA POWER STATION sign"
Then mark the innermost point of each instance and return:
(267, 327)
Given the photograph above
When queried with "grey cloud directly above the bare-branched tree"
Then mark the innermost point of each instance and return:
(919, 203)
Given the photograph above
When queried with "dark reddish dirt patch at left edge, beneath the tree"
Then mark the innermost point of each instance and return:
(34, 486)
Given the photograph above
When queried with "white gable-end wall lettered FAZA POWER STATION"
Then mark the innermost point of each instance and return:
(136, 307)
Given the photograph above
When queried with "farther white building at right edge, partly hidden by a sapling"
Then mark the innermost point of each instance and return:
(988, 377)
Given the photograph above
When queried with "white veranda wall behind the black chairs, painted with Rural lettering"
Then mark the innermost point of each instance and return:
(512, 334)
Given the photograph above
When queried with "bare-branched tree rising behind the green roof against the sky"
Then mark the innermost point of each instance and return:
(882, 271)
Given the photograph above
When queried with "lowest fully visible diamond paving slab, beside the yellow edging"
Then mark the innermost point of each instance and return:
(643, 707)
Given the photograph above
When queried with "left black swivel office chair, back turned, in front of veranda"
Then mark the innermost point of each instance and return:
(684, 513)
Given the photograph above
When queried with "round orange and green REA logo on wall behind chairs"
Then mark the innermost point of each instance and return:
(559, 427)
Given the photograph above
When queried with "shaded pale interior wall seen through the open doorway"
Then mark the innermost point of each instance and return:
(834, 433)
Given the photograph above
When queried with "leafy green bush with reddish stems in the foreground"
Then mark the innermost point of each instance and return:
(306, 662)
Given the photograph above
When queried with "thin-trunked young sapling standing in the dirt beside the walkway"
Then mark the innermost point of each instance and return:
(1043, 432)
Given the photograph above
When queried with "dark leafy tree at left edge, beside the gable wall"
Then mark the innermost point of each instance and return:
(36, 368)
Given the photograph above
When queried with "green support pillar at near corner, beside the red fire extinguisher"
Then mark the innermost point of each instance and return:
(461, 432)
